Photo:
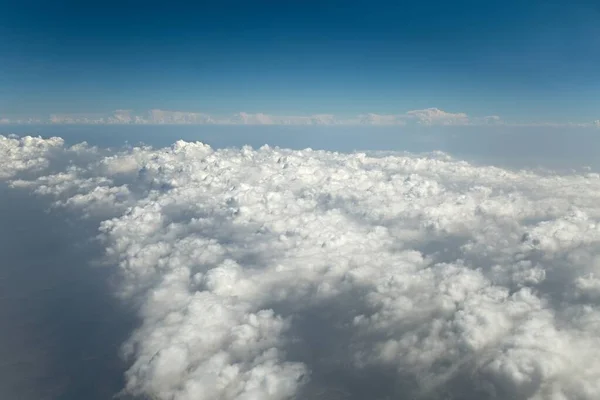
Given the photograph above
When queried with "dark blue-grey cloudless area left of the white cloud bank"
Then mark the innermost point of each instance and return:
(61, 327)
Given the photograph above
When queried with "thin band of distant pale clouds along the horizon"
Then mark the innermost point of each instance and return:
(425, 117)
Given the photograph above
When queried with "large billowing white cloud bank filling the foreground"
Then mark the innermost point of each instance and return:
(272, 273)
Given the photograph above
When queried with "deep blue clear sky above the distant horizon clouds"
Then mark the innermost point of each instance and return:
(522, 60)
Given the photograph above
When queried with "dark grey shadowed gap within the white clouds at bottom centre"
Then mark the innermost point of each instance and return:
(322, 337)
